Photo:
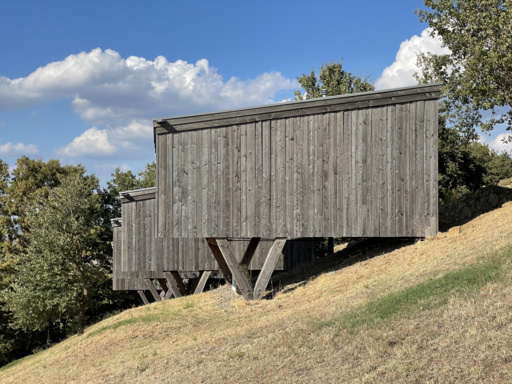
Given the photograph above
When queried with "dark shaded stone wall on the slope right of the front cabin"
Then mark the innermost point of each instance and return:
(475, 203)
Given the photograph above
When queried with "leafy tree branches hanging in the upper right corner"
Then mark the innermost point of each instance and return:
(477, 74)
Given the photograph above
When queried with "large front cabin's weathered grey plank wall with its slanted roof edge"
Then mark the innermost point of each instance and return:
(361, 166)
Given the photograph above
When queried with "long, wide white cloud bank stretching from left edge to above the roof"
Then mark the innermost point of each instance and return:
(109, 90)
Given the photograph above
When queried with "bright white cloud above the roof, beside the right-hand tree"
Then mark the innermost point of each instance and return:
(400, 73)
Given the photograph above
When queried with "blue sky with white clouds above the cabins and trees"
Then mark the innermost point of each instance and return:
(81, 81)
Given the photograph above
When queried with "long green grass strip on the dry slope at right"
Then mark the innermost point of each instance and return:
(427, 295)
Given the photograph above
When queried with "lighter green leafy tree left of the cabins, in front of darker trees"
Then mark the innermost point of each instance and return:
(66, 262)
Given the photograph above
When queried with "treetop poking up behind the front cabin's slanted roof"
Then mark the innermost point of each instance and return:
(335, 80)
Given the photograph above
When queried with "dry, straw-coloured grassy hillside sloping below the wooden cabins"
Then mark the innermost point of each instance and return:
(435, 311)
